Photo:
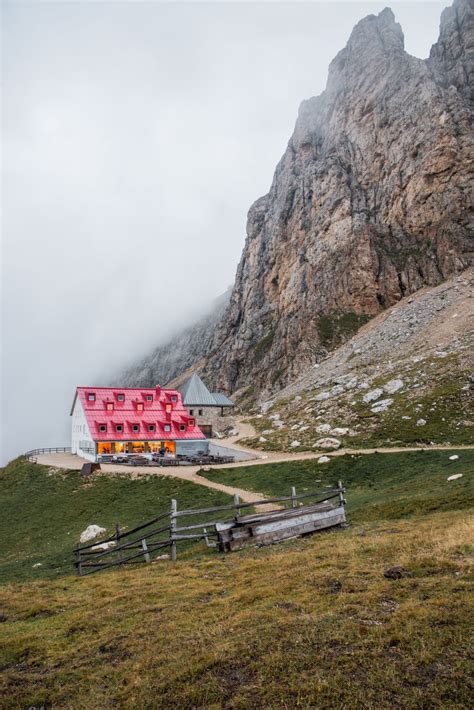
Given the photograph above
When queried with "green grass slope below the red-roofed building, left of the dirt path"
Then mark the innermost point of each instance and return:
(45, 510)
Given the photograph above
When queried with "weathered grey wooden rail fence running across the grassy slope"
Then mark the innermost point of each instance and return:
(167, 530)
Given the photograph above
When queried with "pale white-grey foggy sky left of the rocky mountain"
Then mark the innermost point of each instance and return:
(135, 137)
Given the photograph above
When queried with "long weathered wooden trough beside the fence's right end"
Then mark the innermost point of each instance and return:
(268, 528)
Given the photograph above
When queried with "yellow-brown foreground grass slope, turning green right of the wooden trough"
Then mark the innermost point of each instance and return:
(310, 623)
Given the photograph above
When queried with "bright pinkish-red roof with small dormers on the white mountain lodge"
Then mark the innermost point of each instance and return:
(136, 409)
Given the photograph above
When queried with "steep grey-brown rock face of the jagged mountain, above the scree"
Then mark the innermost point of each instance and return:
(370, 202)
